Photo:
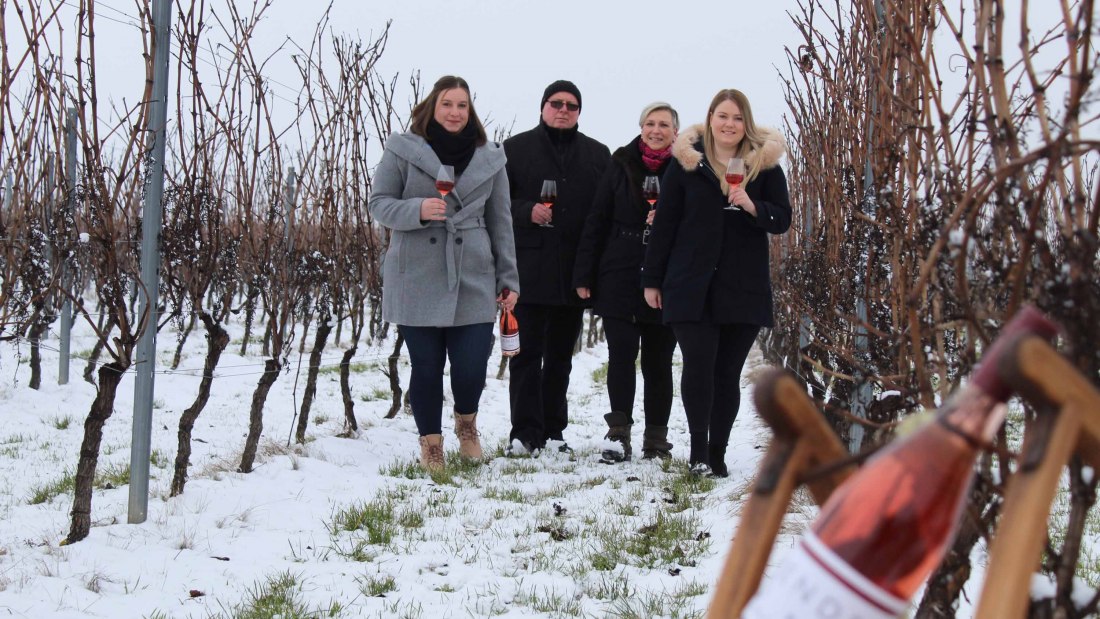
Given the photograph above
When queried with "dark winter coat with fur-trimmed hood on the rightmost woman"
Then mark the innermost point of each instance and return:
(712, 264)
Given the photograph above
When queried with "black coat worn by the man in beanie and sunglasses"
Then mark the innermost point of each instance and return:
(546, 256)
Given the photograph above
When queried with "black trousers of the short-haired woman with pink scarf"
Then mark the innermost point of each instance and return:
(657, 344)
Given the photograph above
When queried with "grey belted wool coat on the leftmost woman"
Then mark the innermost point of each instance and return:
(444, 273)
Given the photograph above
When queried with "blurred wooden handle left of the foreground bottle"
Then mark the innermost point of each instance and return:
(802, 441)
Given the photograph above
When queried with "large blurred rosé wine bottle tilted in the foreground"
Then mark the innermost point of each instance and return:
(883, 533)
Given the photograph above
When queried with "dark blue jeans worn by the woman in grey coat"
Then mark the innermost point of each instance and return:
(468, 347)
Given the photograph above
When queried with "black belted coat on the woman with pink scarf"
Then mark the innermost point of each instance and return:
(610, 257)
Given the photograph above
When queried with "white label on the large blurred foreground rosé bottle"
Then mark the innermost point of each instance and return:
(815, 583)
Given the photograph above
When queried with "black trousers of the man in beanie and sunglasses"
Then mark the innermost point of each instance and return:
(538, 377)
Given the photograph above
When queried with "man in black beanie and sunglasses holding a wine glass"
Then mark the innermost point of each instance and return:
(549, 312)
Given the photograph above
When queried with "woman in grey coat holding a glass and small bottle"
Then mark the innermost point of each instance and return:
(450, 261)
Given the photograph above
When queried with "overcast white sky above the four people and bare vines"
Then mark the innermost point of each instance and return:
(622, 56)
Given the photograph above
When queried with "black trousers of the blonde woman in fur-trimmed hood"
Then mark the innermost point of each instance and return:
(710, 385)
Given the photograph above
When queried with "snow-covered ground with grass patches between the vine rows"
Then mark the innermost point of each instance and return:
(557, 536)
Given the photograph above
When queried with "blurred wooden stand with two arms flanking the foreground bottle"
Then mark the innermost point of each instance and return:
(1069, 424)
